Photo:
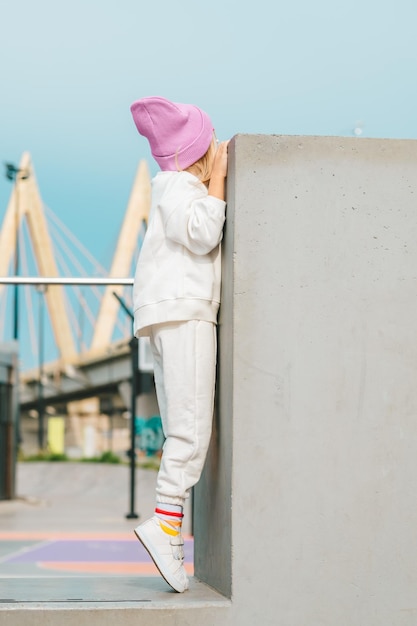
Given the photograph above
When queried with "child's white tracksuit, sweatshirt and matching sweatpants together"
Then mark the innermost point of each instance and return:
(176, 299)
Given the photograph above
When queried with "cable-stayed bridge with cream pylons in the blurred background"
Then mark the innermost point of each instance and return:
(70, 316)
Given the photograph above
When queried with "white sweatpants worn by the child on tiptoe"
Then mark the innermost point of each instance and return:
(185, 369)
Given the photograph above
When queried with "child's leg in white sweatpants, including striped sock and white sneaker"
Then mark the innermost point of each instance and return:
(185, 363)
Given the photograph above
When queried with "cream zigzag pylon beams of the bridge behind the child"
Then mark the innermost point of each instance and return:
(26, 204)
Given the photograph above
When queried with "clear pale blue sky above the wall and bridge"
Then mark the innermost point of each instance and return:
(70, 70)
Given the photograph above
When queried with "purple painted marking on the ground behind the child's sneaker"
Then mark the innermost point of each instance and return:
(91, 551)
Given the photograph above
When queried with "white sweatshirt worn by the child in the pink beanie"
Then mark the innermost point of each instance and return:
(179, 268)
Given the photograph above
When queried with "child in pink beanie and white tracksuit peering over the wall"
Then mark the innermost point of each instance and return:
(176, 299)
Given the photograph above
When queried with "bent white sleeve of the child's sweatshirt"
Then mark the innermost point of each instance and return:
(196, 221)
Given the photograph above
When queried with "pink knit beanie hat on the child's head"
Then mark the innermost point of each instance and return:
(178, 134)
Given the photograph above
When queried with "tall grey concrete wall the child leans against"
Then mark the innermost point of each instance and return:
(307, 512)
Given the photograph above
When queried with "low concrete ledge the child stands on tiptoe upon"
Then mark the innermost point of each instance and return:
(102, 600)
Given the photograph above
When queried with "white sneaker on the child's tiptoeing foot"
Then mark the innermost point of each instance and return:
(166, 552)
